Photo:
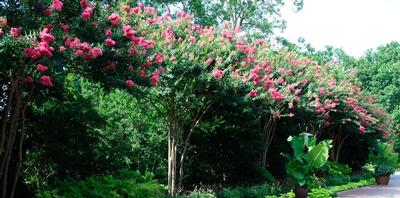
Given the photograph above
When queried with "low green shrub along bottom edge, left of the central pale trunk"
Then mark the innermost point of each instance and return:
(124, 184)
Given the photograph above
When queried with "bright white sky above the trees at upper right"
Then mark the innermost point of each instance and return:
(354, 25)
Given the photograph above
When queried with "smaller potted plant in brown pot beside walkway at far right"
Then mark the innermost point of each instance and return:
(384, 158)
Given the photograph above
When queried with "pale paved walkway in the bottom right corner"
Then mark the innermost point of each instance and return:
(391, 190)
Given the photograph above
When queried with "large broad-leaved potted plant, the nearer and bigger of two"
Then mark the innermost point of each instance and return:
(308, 157)
